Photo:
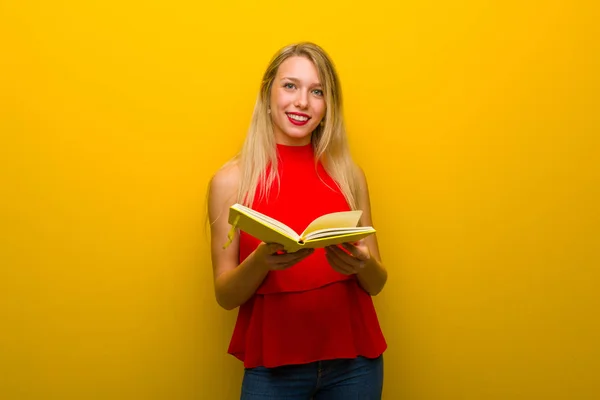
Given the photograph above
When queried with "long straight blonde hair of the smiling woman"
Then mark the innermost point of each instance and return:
(329, 139)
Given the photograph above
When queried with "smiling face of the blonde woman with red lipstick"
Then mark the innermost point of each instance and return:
(297, 101)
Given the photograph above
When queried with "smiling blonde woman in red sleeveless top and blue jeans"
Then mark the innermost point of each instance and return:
(306, 325)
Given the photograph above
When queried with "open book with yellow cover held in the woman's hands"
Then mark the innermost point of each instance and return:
(326, 230)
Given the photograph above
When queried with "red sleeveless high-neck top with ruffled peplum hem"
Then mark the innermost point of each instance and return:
(308, 312)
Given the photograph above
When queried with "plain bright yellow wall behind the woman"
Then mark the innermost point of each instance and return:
(476, 122)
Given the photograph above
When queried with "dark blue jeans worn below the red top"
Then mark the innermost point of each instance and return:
(344, 379)
